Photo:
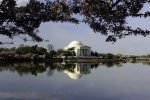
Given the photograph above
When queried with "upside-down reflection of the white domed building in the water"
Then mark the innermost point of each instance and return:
(79, 70)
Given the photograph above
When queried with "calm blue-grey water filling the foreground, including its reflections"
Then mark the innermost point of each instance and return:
(77, 81)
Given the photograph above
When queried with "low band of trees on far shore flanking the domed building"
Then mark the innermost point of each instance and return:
(37, 53)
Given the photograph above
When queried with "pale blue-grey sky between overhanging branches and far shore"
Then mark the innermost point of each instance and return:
(61, 34)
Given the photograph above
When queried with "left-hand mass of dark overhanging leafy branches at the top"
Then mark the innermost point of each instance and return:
(25, 20)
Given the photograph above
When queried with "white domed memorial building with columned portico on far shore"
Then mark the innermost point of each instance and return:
(79, 49)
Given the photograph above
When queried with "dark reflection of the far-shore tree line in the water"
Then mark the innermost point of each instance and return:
(50, 68)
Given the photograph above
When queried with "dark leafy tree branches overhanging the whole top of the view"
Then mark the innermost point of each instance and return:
(107, 17)
